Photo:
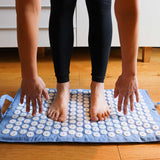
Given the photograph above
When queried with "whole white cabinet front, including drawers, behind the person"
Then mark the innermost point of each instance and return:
(149, 24)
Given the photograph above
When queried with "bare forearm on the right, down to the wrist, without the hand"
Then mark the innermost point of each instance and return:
(128, 18)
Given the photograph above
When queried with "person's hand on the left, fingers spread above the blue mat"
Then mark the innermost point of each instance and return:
(33, 89)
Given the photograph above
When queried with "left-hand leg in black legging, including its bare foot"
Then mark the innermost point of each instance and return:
(61, 41)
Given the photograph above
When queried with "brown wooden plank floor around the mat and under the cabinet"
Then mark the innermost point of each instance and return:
(10, 80)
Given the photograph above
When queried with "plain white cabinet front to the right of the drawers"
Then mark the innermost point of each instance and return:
(149, 27)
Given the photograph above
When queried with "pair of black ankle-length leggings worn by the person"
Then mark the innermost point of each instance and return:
(61, 36)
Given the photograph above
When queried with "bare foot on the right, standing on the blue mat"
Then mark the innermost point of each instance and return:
(99, 107)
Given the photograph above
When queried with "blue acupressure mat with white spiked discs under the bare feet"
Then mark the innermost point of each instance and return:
(142, 125)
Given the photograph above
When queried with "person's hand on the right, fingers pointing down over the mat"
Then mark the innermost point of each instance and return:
(125, 87)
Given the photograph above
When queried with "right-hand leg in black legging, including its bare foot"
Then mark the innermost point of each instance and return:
(100, 35)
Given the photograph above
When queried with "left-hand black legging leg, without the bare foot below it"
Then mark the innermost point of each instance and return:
(61, 36)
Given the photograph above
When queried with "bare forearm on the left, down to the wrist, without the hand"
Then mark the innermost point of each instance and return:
(28, 12)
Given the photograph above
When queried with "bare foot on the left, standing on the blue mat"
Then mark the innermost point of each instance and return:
(59, 108)
